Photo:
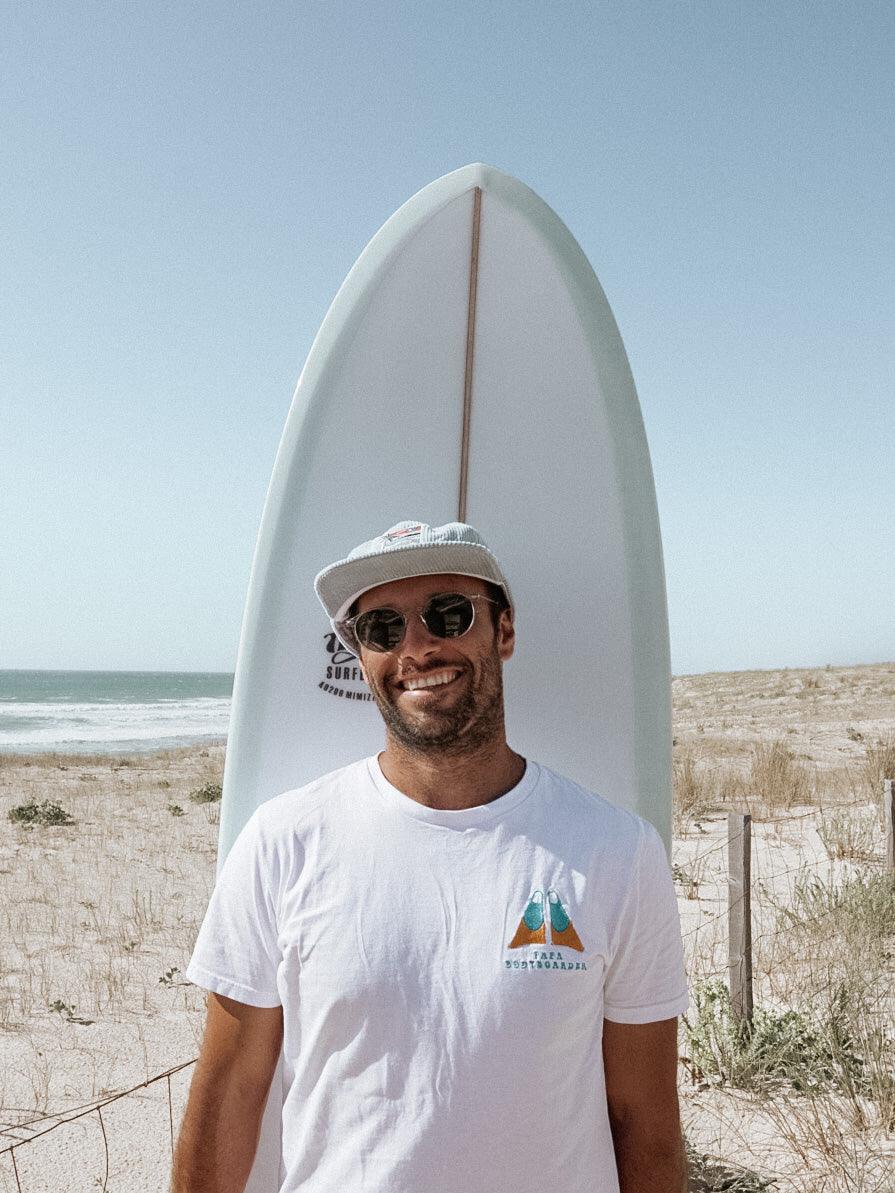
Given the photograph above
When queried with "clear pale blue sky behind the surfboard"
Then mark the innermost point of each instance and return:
(186, 187)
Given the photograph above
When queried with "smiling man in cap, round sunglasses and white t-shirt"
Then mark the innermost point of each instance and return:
(474, 967)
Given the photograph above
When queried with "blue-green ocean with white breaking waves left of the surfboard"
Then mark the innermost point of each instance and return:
(112, 713)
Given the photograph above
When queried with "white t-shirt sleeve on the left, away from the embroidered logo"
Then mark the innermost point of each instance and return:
(237, 953)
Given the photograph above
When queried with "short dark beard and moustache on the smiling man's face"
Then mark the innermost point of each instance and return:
(477, 720)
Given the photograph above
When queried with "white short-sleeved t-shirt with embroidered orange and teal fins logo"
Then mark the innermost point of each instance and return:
(445, 976)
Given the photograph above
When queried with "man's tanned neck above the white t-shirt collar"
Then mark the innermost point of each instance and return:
(453, 782)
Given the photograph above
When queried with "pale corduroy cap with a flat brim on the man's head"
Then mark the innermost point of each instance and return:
(408, 549)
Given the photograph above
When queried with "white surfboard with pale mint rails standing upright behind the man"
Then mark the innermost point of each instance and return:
(468, 369)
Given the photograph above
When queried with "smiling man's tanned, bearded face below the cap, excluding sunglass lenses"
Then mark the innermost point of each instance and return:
(464, 709)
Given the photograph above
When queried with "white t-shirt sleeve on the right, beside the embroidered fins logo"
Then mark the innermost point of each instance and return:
(646, 979)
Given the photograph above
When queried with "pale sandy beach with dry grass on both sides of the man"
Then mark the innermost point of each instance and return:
(98, 919)
